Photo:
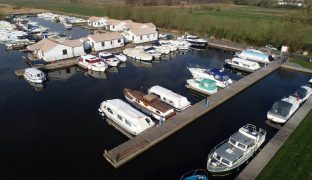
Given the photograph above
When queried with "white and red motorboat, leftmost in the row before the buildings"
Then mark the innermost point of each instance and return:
(92, 62)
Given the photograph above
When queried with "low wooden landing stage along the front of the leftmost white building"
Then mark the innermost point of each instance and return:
(57, 65)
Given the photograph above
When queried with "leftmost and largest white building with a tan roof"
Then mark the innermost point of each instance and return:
(52, 50)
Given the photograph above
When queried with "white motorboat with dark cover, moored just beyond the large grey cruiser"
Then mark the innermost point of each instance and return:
(283, 109)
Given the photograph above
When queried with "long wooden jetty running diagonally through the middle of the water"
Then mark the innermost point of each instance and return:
(123, 153)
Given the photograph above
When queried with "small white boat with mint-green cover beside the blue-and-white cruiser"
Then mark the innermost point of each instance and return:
(206, 86)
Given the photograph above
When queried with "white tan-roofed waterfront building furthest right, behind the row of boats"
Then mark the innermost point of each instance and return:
(140, 33)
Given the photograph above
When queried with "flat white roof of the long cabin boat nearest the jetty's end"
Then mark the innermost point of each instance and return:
(126, 109)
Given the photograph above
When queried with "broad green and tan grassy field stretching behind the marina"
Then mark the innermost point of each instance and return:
(249, 24)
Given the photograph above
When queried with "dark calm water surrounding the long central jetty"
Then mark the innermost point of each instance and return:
(57, 133)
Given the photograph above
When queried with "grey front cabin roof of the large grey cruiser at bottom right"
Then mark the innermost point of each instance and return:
(227, 151)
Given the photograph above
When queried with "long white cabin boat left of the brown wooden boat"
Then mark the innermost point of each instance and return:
(123, 114)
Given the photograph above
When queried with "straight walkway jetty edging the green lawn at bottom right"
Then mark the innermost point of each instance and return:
(254, 168)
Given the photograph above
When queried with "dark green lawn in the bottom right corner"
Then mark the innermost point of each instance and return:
(294, 160)
